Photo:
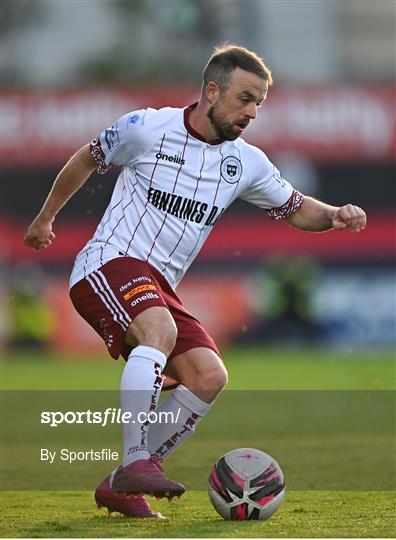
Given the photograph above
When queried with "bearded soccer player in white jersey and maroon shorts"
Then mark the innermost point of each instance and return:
(181, 168)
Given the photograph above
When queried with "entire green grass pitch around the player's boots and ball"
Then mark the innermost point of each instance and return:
(336, 448)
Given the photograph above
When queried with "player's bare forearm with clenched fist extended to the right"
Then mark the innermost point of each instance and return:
(316, 216)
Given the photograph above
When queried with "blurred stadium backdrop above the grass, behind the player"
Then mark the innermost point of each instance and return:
(328, 124)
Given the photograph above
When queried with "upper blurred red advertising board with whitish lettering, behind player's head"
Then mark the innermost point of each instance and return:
(331, 123)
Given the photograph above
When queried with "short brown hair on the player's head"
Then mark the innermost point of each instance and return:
(226, 58)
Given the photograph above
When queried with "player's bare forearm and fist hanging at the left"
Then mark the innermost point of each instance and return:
(70, 179)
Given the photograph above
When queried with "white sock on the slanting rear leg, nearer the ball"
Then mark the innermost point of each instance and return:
(164, 438)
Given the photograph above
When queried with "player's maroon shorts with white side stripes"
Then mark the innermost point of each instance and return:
(111, 297)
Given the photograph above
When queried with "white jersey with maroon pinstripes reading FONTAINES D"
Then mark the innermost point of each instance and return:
(172, 189)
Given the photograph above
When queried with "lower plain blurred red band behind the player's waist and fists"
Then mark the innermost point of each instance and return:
(249, 238)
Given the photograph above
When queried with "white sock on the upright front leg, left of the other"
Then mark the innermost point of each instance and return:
(141, 385)
